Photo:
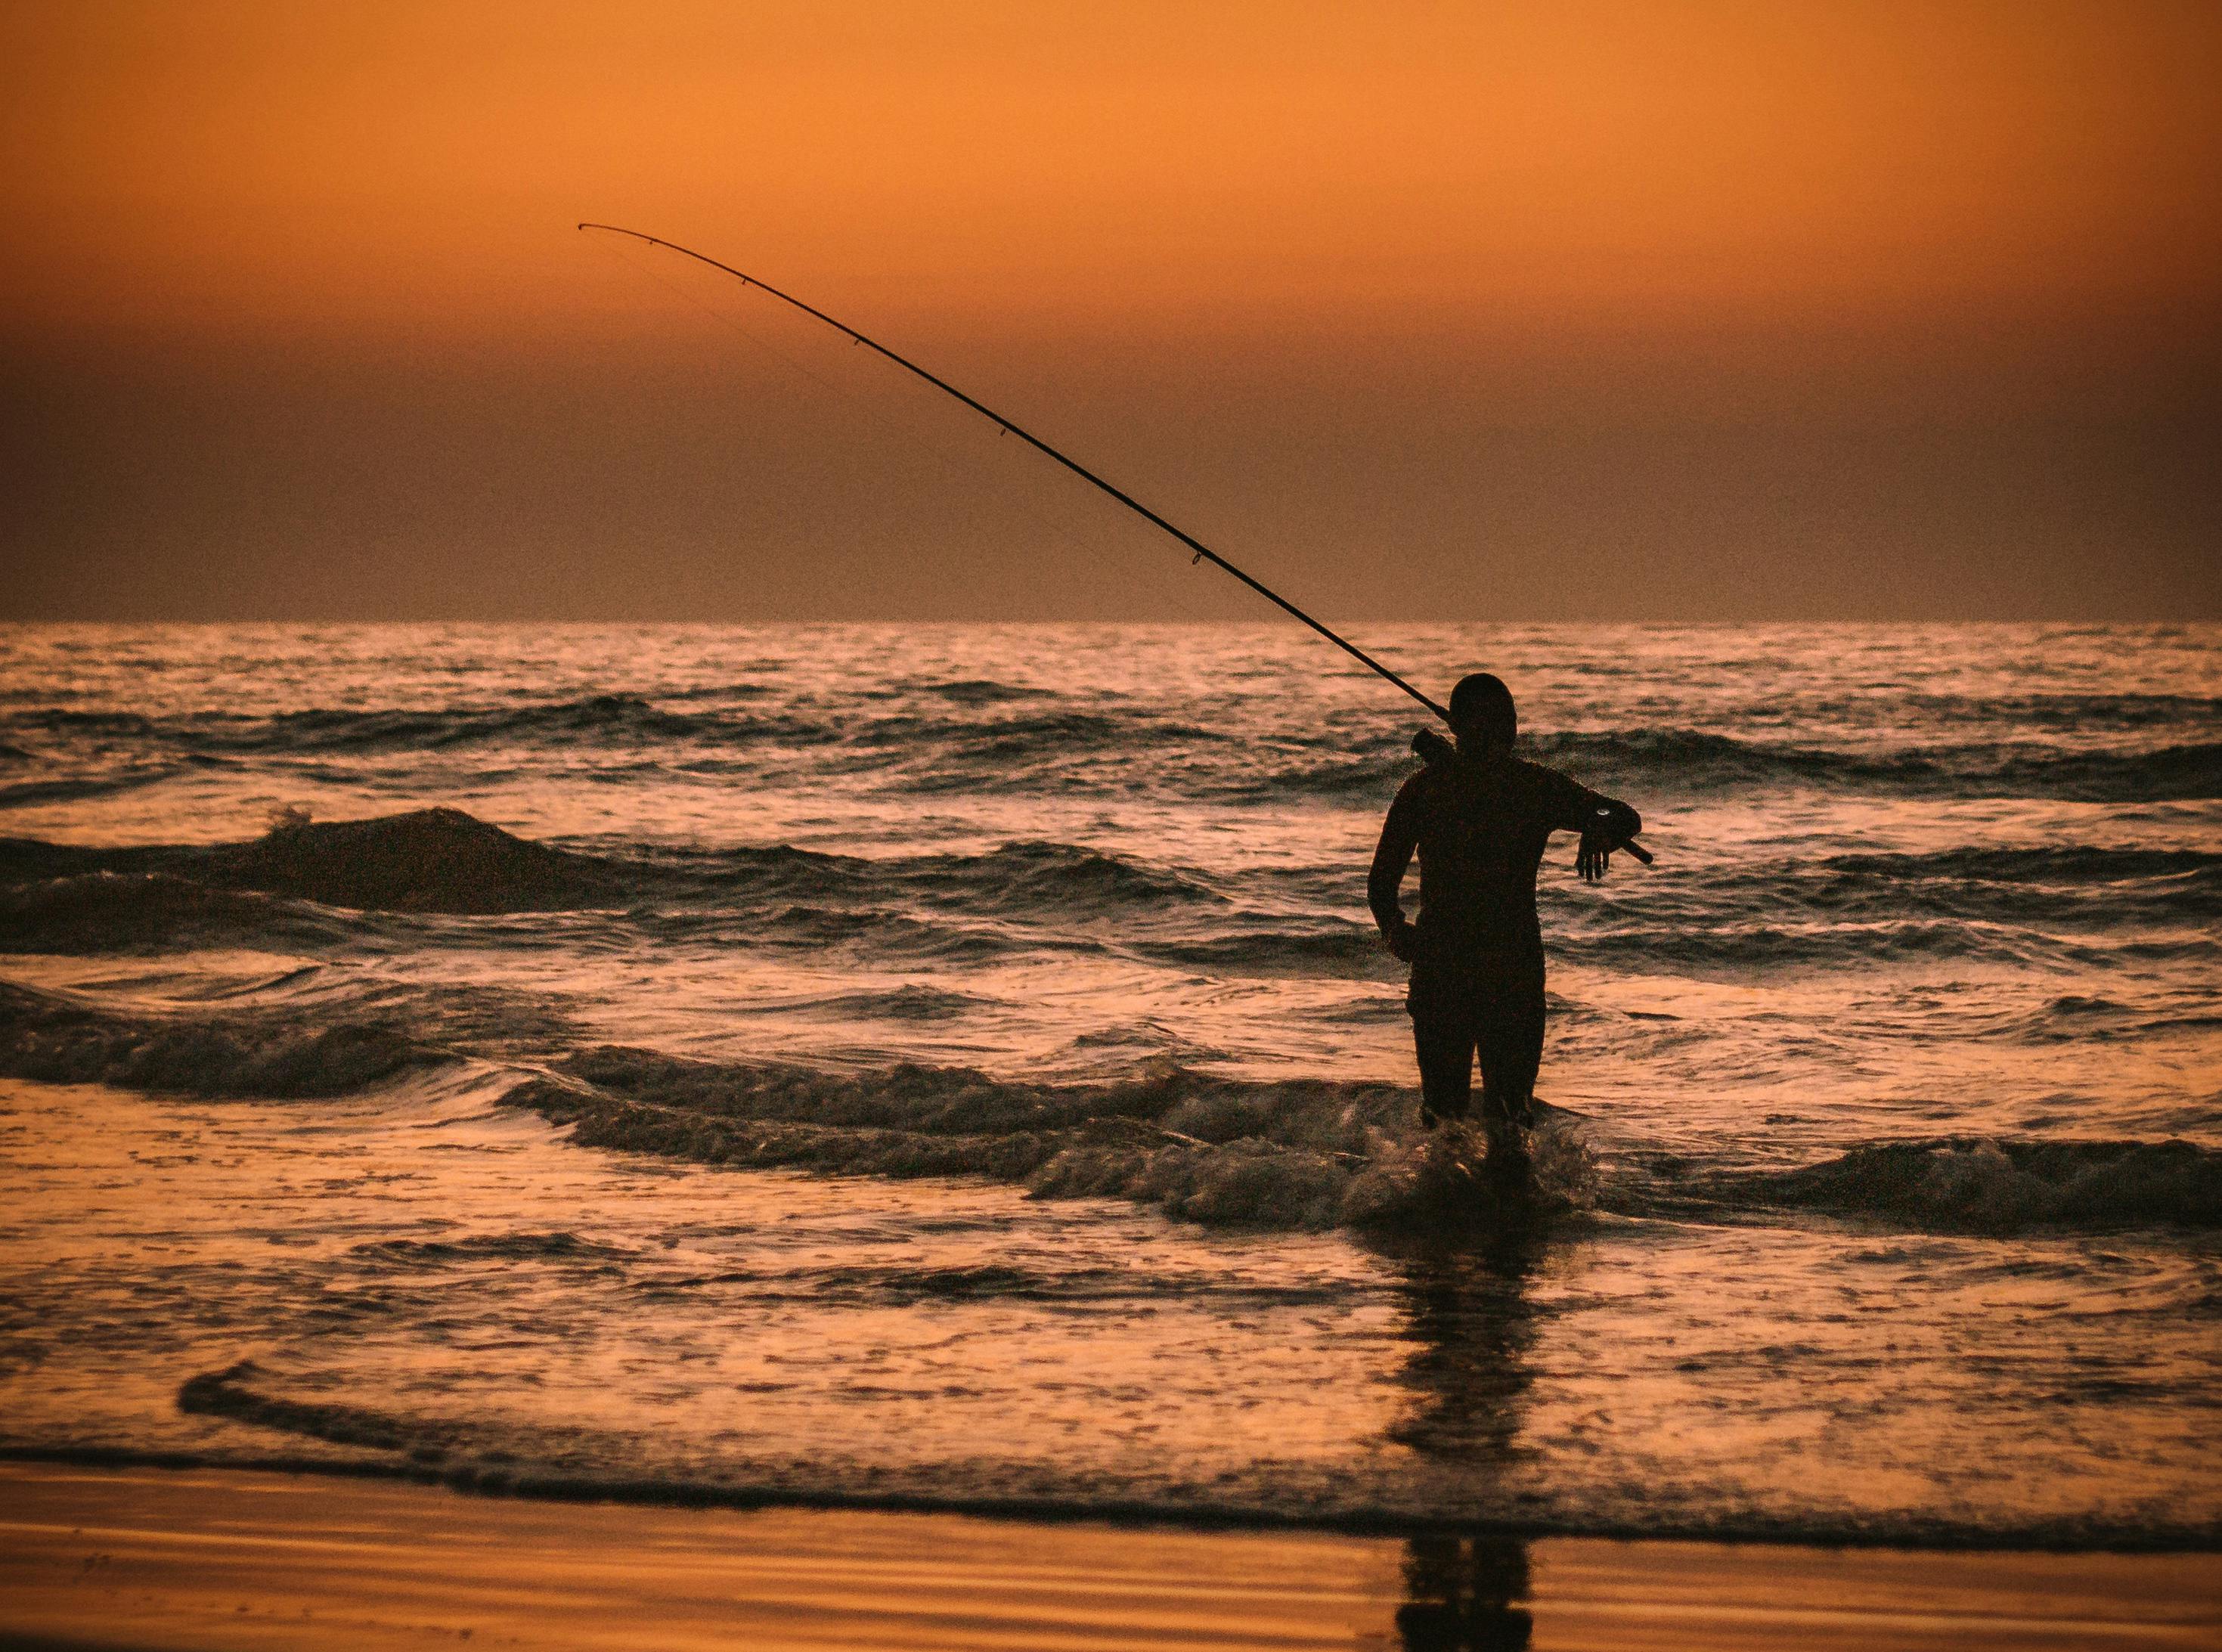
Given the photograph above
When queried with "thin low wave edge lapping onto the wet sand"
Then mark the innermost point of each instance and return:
(488, 1451)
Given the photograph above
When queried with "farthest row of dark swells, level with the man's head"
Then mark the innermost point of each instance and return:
(985, 737)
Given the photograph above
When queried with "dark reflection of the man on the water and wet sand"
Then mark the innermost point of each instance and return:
(1472, 1324)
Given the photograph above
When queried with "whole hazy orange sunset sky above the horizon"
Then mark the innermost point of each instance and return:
(1668, 312)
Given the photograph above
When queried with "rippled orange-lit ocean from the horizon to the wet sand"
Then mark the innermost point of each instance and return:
(954, 1068)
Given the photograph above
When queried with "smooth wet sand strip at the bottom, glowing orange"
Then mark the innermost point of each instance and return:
(237, 1560)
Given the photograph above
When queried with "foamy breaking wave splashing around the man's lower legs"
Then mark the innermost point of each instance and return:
(1299, 1153)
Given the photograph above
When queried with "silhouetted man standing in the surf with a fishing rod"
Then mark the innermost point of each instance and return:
(1481, 822)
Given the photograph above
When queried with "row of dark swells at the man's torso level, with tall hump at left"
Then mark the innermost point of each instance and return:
(330, 884)
